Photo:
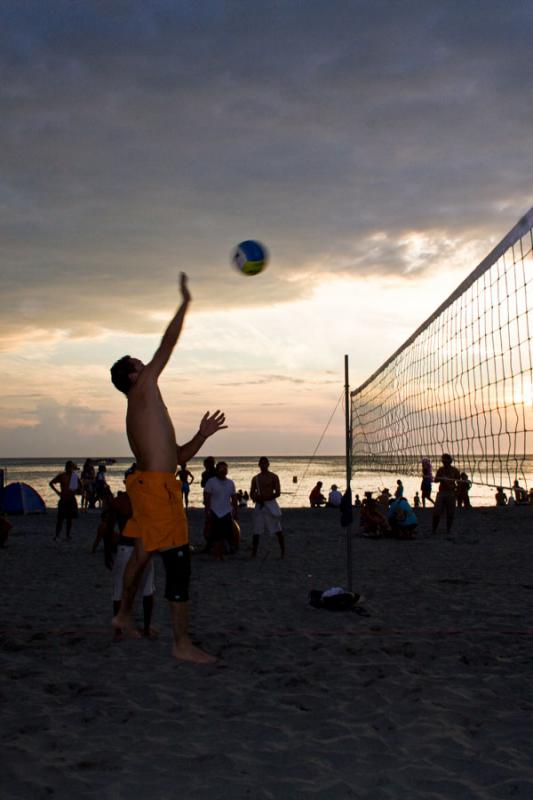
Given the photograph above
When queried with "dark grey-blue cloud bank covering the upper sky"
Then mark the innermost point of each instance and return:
(140, 143)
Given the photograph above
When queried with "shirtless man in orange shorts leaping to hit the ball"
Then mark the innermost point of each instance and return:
(159, 522)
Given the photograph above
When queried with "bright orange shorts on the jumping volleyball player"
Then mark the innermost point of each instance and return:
(158, 514)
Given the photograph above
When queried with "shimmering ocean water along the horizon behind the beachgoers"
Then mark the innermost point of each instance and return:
(298, 475)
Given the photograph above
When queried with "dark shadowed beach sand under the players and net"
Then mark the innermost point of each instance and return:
(423, 692)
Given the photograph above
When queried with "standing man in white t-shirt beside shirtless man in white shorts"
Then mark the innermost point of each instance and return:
(221, 508)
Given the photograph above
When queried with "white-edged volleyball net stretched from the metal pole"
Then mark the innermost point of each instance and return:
(463, 382)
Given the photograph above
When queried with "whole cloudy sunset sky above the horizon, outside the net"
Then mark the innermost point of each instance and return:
(380, 150)
